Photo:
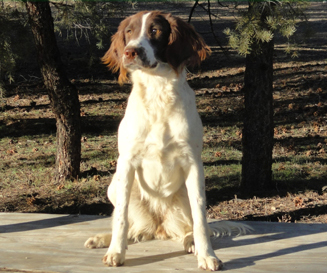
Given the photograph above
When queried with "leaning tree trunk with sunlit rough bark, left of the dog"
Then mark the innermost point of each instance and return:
(63, 95)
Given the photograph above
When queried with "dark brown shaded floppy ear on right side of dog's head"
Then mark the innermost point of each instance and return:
(186, 46)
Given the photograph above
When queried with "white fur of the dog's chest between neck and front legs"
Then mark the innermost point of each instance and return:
(156, 133)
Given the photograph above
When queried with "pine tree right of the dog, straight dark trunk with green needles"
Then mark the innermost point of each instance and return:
(254, 37)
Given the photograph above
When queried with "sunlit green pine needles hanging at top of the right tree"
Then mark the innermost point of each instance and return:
(262, 20)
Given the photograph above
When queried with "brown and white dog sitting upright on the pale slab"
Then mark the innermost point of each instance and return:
(158, 189)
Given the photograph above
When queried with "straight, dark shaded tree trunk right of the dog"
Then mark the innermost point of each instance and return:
(258, 132)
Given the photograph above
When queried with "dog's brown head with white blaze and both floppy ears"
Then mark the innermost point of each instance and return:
(147, 39)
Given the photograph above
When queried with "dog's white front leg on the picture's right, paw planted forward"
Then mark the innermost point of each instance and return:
(196, 192)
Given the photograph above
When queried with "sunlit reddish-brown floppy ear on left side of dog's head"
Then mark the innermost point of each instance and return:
(113, 57)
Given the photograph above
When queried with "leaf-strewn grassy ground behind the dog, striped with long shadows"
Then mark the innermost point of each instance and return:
(28, 144)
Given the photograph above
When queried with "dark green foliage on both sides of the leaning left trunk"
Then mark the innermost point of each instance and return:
(78, 22)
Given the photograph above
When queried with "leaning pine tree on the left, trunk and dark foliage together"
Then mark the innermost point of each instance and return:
(80, 20)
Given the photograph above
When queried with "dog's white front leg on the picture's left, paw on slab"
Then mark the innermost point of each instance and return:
(123, 180)
